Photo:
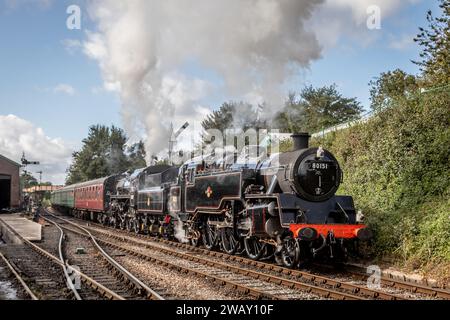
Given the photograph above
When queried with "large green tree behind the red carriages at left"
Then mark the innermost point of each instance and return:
(102, 155)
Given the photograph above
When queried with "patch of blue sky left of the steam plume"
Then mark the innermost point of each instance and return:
(34, 62)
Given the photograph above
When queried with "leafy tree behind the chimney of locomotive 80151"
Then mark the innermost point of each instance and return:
(316, 109)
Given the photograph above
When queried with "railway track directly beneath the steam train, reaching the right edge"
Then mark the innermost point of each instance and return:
(391, 289)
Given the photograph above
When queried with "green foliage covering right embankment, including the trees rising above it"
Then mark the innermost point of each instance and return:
(397, 164)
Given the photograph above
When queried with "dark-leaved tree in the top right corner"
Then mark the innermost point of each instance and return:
(435, 41)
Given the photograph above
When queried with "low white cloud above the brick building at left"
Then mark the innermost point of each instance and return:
(18, 135)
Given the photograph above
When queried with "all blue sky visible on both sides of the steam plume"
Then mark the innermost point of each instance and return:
(60, 90)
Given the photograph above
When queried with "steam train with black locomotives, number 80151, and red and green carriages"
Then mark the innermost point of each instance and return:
(284, 206)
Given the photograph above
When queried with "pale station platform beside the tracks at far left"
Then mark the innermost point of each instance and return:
(28, 229)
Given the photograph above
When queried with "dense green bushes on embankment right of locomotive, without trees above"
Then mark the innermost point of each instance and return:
(396, 167)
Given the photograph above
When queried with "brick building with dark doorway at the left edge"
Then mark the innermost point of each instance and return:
(9, 183)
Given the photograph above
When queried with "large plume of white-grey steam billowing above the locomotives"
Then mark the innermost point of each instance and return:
(143, 47)
